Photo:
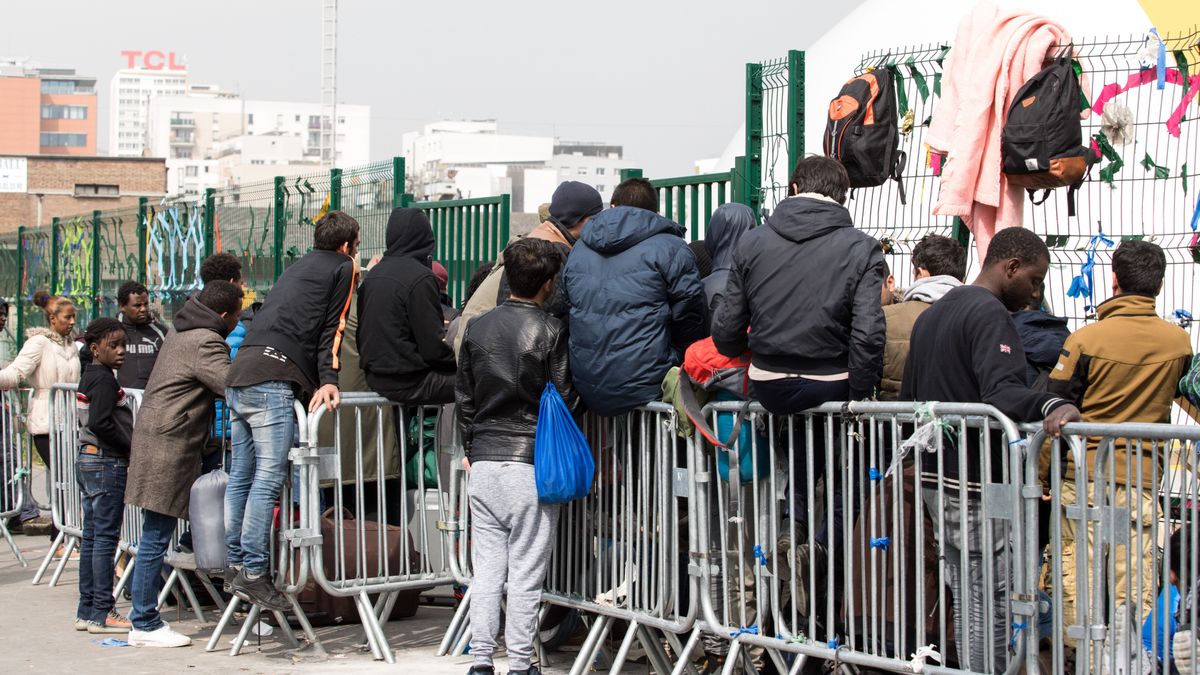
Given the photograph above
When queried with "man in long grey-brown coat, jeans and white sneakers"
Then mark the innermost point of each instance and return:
(169, 441)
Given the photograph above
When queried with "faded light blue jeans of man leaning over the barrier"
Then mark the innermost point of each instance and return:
(263, 432)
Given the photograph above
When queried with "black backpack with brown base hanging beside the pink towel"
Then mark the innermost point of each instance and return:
(1042, 144)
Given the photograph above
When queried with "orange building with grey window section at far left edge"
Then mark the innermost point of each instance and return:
(46, 111)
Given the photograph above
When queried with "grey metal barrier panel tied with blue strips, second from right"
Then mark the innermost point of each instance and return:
(784, 577)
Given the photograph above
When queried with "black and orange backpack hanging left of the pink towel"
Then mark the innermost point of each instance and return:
(863, 132)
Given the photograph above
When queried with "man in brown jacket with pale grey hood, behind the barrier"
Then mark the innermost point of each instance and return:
(939, 264)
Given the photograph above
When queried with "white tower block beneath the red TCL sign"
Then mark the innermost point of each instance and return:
(129, 106)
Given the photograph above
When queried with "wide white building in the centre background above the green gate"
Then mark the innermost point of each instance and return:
(455, 159)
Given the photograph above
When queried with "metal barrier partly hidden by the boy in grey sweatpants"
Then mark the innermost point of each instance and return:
(621, 553)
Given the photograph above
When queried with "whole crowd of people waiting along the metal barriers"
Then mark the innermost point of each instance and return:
(603, 303)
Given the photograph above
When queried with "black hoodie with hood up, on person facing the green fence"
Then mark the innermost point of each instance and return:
(400, 333)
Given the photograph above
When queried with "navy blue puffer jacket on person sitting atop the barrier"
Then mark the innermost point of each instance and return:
(637, 304)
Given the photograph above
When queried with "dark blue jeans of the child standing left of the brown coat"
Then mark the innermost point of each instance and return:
(103, 487)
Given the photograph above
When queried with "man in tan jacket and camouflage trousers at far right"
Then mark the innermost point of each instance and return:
(1124, 368)
